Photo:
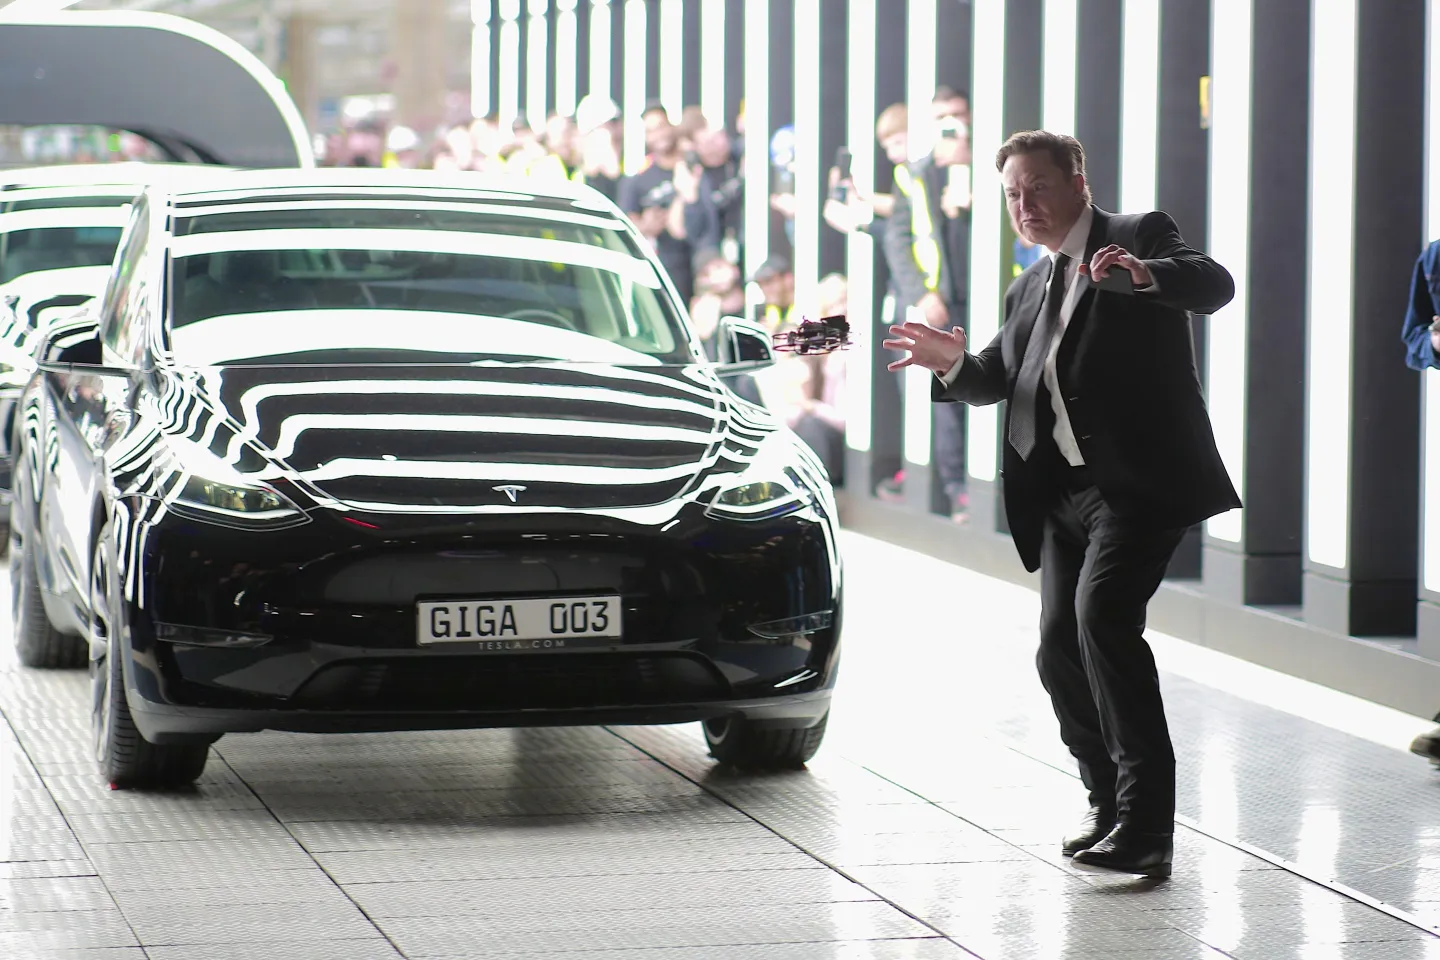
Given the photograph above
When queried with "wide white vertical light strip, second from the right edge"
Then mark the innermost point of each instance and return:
(1331, 291)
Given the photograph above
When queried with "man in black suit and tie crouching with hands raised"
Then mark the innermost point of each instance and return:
(1110, 458)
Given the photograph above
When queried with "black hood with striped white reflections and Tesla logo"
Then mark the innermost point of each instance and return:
(477, 438)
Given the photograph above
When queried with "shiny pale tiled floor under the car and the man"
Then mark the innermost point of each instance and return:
(928, 828)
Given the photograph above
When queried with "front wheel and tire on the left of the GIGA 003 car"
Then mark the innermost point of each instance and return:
(127, 761)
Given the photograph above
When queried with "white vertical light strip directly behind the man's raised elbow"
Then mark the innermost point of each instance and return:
(1229, 231)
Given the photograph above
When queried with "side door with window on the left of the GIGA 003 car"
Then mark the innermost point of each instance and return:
(89, 414)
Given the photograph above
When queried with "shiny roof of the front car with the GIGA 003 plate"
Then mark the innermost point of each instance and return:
(362, 182)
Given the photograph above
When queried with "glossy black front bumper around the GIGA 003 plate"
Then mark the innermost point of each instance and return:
(335, 624)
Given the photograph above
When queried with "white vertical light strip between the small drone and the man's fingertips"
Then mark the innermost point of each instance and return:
(860, 253)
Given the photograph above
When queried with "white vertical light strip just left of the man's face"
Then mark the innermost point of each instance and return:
(987, 219)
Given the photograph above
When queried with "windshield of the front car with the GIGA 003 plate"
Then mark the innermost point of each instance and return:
(414, 281)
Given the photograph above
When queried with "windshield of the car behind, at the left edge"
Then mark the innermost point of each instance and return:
(58, 234)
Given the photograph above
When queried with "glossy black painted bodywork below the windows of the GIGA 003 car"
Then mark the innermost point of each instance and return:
(332, 602)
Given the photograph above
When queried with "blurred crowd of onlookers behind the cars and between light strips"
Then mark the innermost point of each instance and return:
(686, 199)
